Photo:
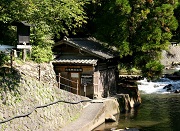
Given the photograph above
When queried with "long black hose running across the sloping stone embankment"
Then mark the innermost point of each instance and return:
(46, 105)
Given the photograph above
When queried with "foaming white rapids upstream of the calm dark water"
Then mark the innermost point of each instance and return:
(157, 87)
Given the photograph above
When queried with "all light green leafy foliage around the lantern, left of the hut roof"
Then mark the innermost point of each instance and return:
(49, 17)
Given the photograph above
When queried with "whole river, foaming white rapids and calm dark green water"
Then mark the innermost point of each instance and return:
(159, 111)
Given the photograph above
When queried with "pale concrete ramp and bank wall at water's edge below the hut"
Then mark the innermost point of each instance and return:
(95, 114)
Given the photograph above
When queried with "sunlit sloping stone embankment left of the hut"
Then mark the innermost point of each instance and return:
(21, 92)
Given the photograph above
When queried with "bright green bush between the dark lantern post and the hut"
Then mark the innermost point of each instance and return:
(42, 43)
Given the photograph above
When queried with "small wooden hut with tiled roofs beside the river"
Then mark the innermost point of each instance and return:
(86, 66)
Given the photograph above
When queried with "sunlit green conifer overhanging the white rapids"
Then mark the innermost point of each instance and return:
(152, 34)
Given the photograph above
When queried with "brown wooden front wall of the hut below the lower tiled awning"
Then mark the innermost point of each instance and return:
(84, 78)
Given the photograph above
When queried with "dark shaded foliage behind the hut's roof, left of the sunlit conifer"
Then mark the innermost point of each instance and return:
(111, 22)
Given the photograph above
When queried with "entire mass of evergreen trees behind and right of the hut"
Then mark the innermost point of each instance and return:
(140, 29)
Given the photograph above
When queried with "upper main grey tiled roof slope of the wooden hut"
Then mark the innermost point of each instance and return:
(92, 46)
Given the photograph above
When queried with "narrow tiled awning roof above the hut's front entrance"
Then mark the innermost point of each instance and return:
(76, 61)
